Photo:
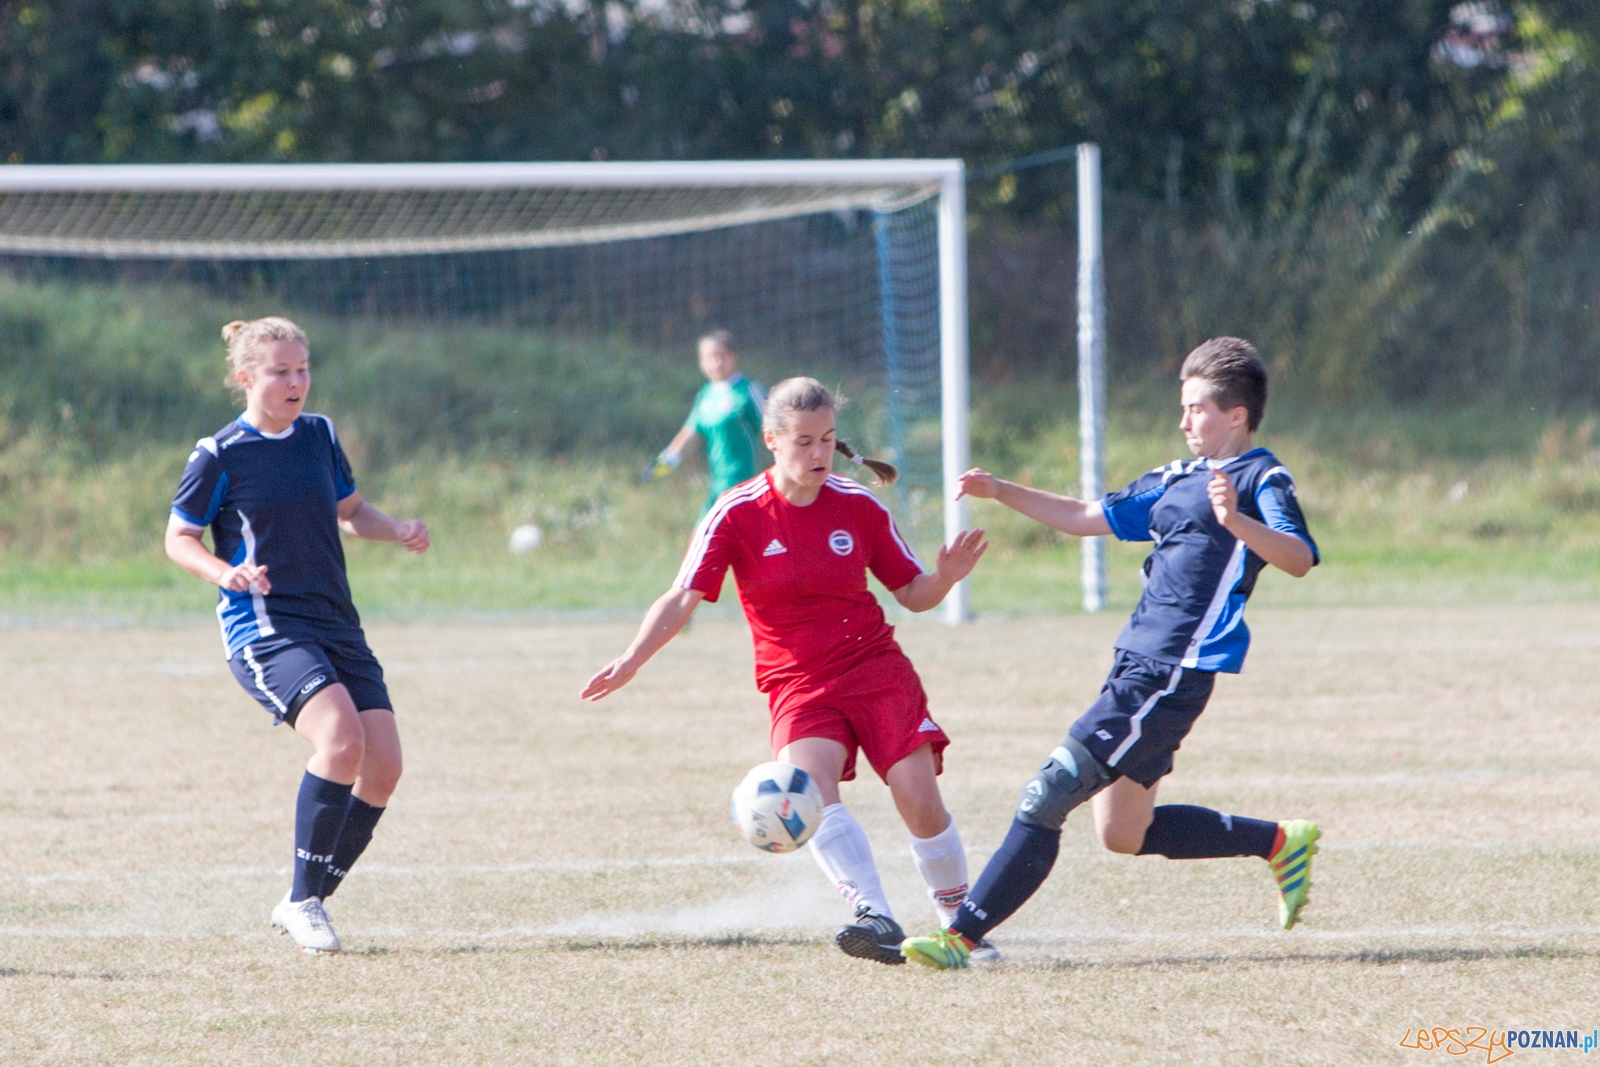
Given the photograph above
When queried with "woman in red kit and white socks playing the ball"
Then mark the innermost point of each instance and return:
(801, 543)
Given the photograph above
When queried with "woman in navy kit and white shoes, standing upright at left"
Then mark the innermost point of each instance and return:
(276, 489)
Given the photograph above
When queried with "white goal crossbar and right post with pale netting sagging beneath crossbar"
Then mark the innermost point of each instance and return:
(370, 210)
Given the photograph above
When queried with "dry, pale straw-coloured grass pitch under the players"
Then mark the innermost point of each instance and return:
(556, 884)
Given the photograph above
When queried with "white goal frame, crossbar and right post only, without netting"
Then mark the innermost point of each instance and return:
(950, 175)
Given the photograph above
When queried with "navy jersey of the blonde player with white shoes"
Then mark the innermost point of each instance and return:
(273, 500)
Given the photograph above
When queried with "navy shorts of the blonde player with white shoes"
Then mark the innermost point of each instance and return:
(284, 673)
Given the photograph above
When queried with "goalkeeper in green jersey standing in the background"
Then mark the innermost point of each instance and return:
(727, 414)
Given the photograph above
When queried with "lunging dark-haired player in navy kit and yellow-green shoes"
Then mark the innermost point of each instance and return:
(1217, 522)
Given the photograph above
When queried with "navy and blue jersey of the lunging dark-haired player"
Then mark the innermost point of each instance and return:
(1199, 575)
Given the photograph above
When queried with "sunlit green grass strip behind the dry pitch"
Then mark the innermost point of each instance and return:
(1394, 524)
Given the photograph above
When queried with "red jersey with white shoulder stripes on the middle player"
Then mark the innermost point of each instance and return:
(802, 575)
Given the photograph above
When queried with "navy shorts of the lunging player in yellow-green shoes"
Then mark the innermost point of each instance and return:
(1143, 714)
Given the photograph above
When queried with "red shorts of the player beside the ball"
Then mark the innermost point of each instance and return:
(878, 706)
